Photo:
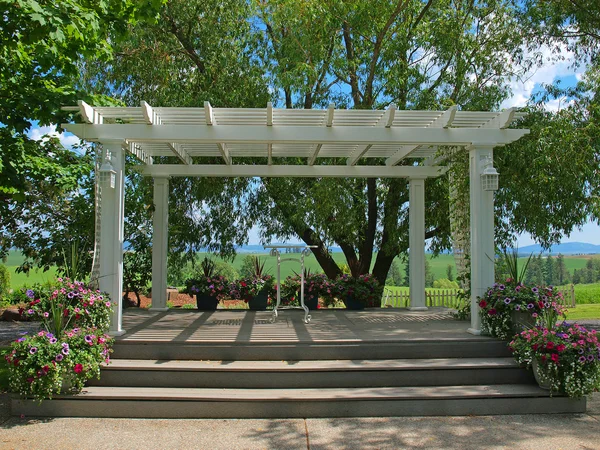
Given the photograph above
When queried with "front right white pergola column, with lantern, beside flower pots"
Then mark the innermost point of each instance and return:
(482, 232)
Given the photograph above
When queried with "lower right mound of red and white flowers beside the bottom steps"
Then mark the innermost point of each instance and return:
(568, 357)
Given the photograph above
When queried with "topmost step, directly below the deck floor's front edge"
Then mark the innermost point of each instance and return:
(472, 347)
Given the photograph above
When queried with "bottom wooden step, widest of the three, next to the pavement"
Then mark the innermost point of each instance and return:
(146, 402)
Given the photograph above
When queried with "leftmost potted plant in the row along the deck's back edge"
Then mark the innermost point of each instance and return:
(208, 287)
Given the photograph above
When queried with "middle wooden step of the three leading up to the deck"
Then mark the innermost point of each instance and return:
(319, 374)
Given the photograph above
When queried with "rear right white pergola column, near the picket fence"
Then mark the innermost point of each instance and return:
(416, 232)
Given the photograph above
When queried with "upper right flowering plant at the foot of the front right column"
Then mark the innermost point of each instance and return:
(499, 300)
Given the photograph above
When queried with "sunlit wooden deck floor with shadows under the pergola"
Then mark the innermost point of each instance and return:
(230, 326)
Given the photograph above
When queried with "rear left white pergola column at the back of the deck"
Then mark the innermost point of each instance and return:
(160, 242)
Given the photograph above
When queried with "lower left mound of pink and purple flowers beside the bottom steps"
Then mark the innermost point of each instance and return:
(41, 364)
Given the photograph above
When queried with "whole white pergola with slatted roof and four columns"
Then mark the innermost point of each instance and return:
(359, 139)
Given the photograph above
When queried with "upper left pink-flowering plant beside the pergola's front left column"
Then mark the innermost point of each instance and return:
(66, 304)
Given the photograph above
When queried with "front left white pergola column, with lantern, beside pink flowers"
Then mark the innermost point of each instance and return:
(111, 236)
